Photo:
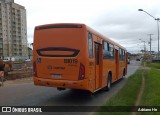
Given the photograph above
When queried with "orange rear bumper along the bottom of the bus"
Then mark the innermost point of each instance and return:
(81, 84)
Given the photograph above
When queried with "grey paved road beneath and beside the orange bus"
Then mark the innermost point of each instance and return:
(24, 93)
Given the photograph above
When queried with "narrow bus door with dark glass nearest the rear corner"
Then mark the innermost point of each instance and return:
(97, 65)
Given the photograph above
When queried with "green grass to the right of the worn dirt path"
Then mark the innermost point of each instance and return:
(151, 95)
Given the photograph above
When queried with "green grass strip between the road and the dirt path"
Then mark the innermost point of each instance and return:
(127, 95)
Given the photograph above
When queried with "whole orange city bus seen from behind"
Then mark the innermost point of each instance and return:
(72, 55)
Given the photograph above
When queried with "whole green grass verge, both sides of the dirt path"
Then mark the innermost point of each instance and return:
(128, 94)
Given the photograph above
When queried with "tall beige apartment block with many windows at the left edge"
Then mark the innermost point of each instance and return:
(13, 30)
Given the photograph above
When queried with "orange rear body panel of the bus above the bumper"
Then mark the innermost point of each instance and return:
(52, 42)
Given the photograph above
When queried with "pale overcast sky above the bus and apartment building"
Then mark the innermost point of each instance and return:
(119, 20)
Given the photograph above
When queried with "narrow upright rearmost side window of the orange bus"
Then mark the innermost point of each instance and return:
(90, 45)
